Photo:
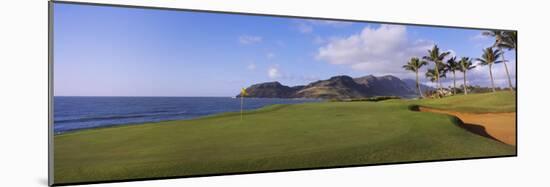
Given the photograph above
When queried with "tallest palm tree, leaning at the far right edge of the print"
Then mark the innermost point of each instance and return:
(502, 39)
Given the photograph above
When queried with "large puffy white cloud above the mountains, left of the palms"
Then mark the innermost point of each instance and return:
(377, 51)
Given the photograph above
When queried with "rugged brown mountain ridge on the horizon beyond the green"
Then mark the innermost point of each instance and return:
(337, 87)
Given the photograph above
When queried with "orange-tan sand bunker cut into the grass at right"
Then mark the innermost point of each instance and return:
(499, 126)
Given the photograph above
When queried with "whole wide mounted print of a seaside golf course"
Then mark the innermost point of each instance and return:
(152, 93)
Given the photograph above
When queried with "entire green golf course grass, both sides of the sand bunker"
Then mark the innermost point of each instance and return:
(278, 137)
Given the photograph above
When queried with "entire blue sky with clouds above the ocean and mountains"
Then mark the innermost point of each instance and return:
(113, 51)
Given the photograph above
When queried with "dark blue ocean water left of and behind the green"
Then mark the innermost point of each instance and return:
(75, 113)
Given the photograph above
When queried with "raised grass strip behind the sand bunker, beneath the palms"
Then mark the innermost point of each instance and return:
(502, 101)
